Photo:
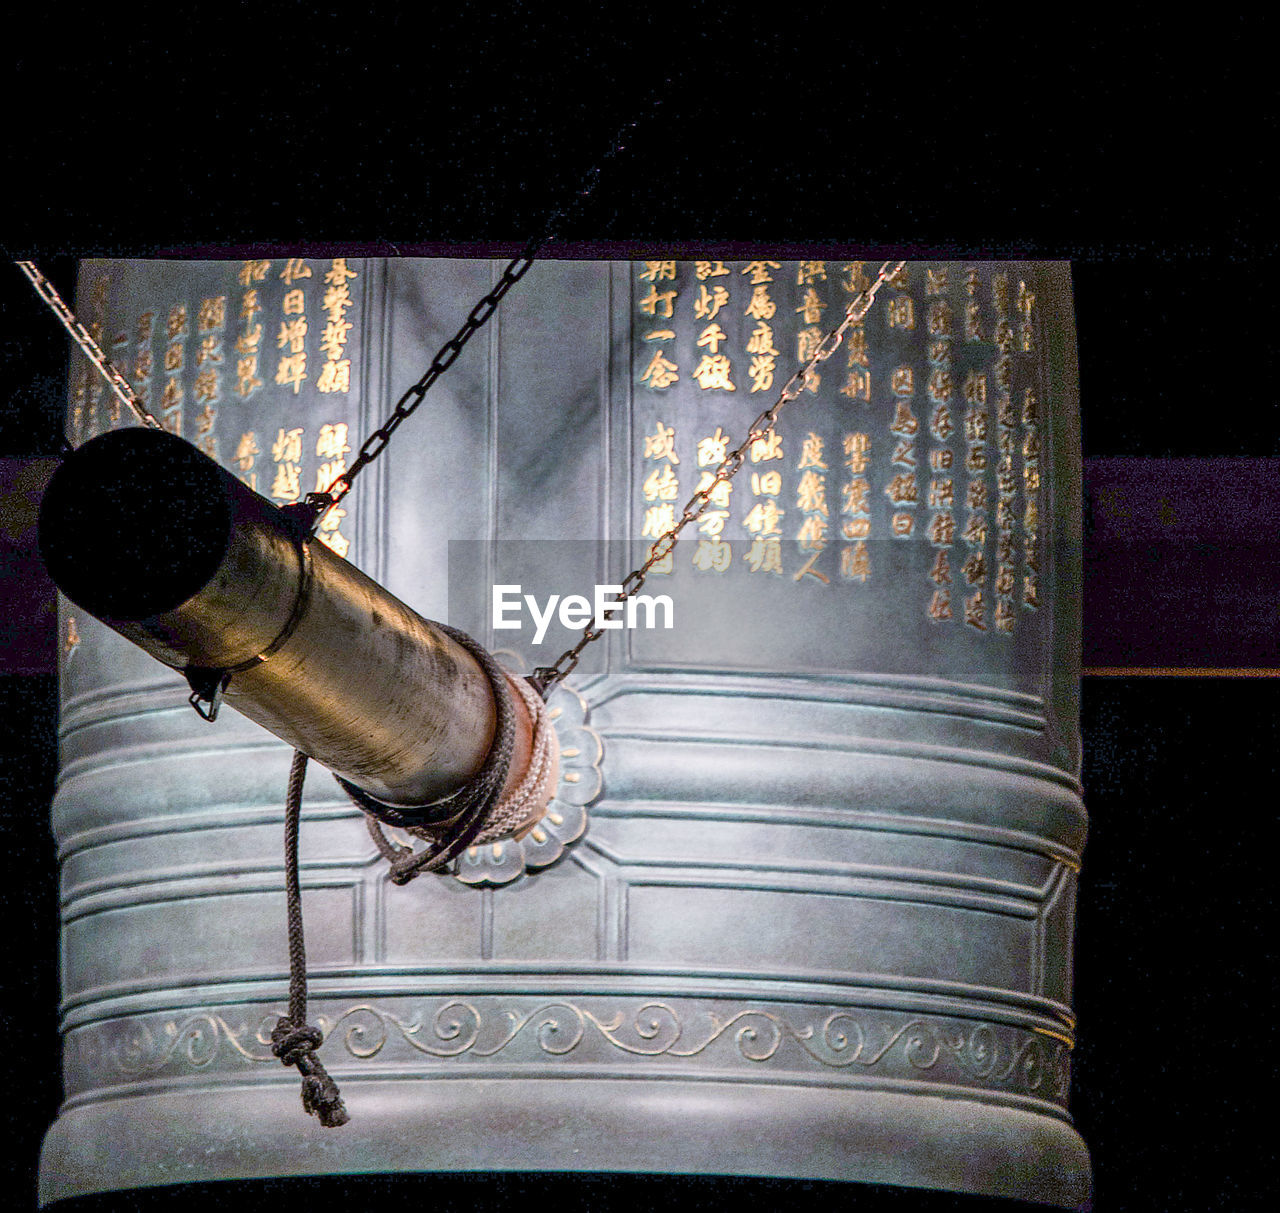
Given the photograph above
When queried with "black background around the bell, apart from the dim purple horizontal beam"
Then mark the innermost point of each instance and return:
(1126, 149)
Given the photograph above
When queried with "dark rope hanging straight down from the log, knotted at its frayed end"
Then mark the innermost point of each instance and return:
(294, 1040)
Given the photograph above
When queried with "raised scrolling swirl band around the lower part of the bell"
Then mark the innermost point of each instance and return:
(994, 1056)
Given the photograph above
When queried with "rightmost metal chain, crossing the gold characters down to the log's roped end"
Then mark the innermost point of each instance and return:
(547, 676)
